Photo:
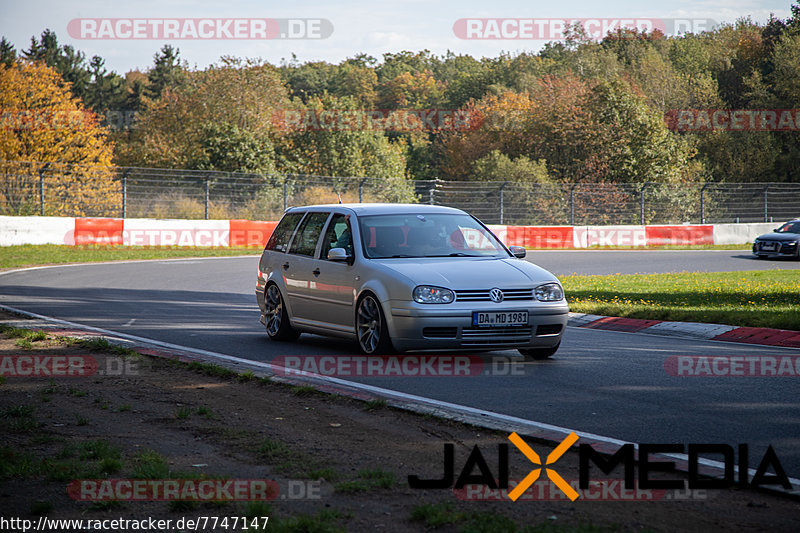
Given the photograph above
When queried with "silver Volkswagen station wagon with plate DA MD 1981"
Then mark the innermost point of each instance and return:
(398, 277)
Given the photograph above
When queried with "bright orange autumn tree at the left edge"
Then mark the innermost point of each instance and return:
(45, 124)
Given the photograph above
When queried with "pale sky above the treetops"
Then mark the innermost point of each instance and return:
(359, 26)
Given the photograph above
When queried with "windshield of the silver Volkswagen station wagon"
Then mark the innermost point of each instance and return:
(428, 235)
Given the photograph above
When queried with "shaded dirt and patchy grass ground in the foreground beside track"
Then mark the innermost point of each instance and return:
(337, 463)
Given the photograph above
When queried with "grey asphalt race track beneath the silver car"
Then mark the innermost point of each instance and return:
(609, 383)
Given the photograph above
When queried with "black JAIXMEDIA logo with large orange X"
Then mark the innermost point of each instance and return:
(648, 466)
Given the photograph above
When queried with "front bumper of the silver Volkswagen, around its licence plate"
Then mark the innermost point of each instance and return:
(449, 326)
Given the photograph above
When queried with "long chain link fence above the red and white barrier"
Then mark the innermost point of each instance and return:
(128, 192)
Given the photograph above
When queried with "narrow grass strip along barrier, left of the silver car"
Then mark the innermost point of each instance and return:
(50, 254)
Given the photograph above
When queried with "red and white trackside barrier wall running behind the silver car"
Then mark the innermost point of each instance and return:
(224, 233)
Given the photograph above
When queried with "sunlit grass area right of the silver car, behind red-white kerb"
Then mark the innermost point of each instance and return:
(762, 298)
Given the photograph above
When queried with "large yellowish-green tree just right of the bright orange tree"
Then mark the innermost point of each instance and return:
(240, 97)
